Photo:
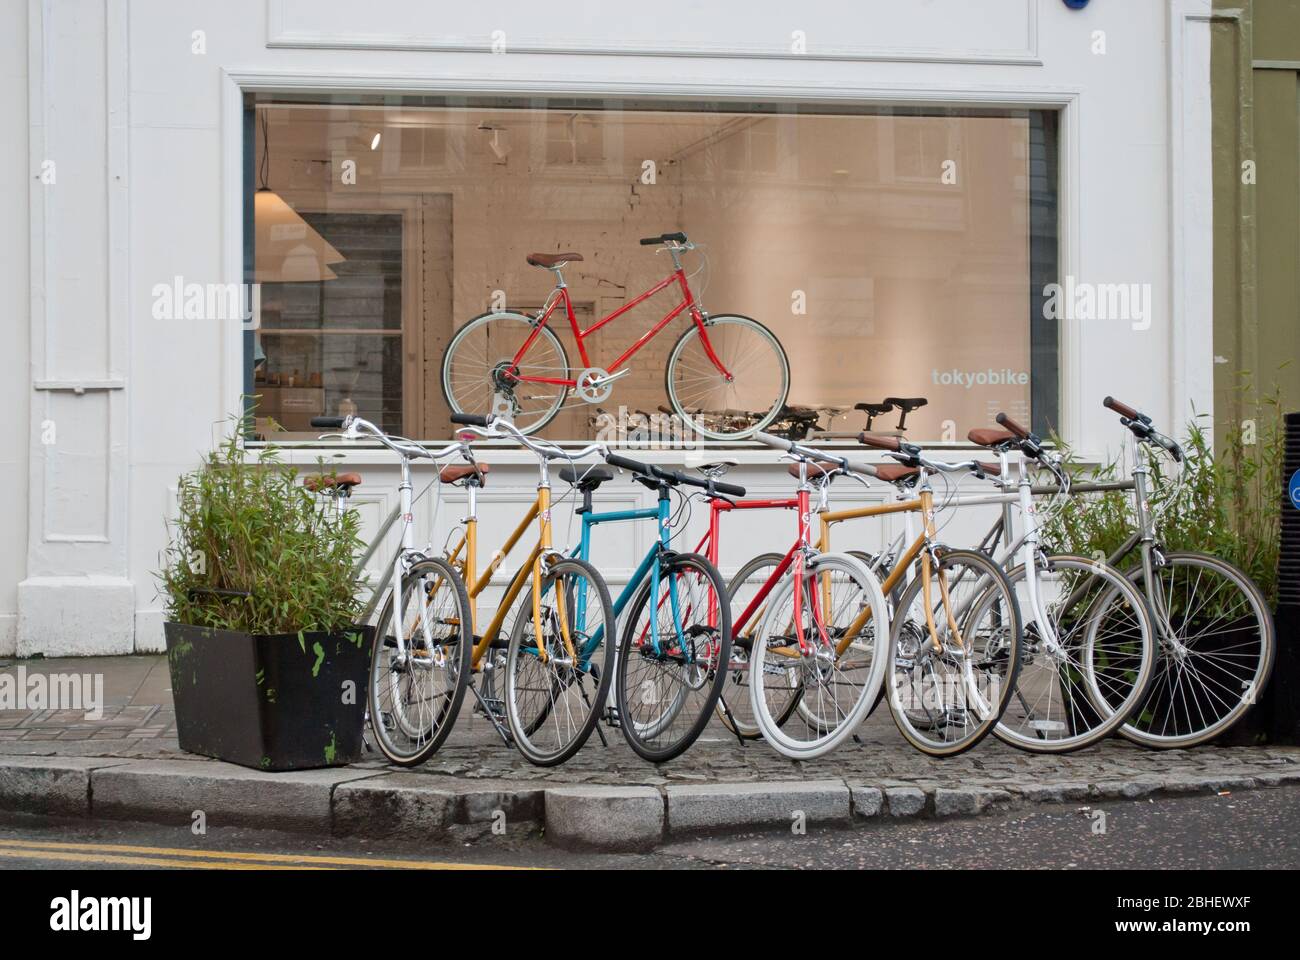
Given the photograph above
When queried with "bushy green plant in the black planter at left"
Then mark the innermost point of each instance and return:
(254, 551)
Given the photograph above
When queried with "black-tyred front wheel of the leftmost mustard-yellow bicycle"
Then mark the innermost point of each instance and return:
(590, 682)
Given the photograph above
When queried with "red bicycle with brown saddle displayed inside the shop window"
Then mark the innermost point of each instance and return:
(727, 375)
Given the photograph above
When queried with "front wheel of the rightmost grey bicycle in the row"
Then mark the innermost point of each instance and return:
(1216, 651)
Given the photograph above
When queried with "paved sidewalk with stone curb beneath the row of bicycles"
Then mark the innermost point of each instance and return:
(128, 767)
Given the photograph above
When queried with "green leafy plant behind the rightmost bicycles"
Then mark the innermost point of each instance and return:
(1228, 507)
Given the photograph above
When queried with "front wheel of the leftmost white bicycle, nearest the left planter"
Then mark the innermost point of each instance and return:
(415, 695)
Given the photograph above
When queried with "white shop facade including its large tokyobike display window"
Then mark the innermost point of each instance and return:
(996, 206)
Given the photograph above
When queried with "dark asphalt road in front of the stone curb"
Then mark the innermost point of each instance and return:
(1249, 831)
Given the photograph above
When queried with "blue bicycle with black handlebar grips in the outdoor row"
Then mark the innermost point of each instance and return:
(675, 645)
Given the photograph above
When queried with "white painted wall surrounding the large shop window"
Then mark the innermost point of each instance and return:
(146, 137)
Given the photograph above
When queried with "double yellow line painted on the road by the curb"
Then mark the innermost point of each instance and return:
(192, 859)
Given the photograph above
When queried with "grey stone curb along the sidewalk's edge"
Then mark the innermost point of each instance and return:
(379, 802)
